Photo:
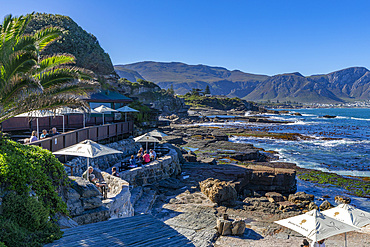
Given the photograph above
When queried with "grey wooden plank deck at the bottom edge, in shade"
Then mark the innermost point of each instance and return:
(141, 230)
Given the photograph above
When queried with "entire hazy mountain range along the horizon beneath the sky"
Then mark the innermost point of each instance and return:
(345, 85)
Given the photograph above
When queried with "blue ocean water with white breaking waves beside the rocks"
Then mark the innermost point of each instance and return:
(339, 145)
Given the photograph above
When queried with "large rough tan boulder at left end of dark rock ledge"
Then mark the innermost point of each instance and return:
(218, 191)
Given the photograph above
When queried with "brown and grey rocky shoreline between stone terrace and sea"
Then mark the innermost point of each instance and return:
(213, 168)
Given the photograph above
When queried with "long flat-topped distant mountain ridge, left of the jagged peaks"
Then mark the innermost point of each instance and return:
(185, 77)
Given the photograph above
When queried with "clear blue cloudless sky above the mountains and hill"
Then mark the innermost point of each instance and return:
(260, 36)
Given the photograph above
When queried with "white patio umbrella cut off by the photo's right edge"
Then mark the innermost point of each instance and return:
(349, 215)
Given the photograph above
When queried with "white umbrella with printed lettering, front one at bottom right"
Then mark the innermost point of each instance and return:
(316, 226)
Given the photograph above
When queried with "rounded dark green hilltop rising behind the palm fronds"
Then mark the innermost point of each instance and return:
(76, 41)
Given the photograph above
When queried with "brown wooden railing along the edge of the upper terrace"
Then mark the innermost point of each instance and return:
(95, 133)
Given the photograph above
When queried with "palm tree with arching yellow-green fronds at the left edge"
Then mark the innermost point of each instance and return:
(30, 81)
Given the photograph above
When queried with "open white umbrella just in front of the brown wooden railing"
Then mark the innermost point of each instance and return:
(88, 149)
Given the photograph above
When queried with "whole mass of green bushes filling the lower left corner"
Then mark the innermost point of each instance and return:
(29, 180)
